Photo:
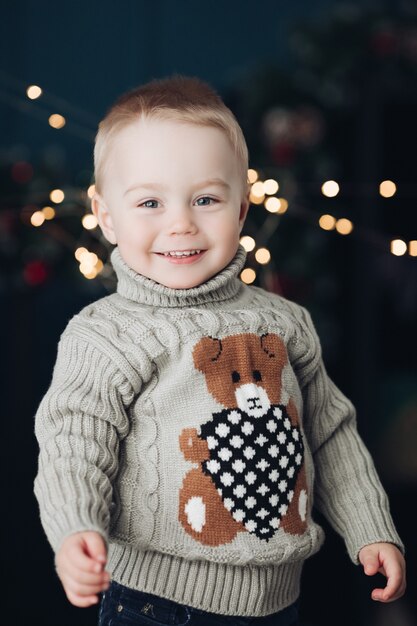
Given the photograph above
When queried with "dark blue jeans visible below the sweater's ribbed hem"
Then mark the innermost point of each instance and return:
(121, 606)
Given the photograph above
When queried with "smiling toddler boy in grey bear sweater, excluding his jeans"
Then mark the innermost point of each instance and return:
(190, 423)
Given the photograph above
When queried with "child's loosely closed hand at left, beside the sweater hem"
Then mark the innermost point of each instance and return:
(80, 565)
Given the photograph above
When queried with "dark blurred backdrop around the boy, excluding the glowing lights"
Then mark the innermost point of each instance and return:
(346, 73)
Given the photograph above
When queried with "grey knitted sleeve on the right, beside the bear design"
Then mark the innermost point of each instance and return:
(347, 488)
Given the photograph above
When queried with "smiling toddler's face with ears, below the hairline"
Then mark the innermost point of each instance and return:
(172, 201)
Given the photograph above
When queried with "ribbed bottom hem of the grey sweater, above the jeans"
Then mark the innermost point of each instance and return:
(251, 590)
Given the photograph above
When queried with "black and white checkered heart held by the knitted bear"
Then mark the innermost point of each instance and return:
(254, 463)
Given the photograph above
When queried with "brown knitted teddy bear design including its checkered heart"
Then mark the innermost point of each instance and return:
(251, 475)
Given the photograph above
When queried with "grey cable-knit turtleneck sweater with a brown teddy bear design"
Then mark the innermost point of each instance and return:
(194, 429)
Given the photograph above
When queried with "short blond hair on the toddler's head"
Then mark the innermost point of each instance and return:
(182, 98)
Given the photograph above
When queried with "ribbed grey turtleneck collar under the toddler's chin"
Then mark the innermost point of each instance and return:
(134, 286)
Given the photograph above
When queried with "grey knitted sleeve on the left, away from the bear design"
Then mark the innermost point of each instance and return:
(79, 425)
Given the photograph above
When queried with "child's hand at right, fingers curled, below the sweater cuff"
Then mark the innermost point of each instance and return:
(386, 559)
